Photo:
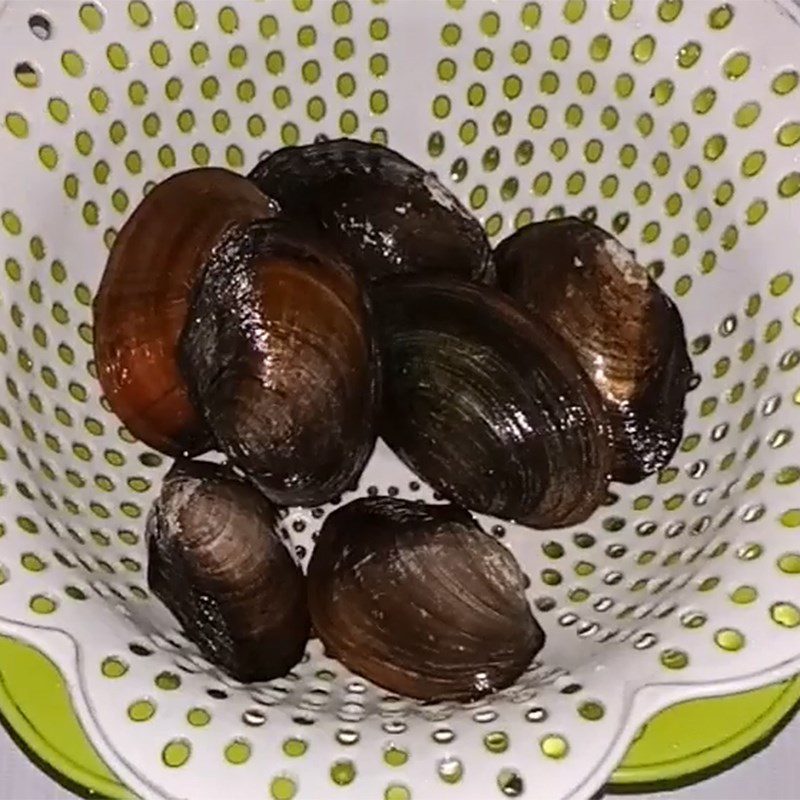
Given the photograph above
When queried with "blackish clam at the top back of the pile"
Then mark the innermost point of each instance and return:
(383, 212)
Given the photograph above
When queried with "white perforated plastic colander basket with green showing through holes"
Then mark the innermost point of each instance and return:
(677, 124)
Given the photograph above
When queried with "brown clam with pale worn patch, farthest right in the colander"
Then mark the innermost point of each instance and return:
(626, 332)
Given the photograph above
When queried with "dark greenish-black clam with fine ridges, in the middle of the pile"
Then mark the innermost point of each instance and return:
(487, 405)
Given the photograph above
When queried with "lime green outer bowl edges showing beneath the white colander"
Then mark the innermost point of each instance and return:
(685, 743)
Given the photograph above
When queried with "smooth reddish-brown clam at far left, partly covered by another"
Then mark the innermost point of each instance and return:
(140, 306)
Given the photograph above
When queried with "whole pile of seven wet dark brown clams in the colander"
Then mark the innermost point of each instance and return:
(339, 292)
